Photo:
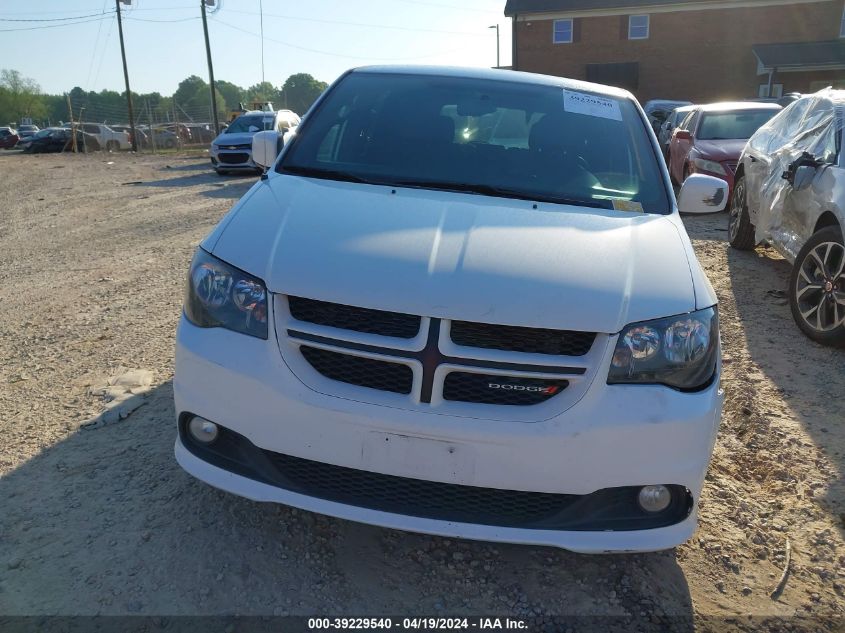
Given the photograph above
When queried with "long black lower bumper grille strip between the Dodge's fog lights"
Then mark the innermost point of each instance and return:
(608, 509)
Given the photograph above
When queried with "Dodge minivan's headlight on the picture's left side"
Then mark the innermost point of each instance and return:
(220, 295)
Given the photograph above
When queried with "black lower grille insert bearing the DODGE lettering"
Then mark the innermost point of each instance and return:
(491, 389)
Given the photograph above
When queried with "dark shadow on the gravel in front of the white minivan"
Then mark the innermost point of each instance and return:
(105, 522)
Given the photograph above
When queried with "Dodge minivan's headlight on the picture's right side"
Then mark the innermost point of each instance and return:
(679, 351)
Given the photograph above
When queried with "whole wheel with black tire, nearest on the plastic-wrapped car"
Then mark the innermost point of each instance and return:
(817, 288)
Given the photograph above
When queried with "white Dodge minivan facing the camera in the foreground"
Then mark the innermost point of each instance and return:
(462, 302)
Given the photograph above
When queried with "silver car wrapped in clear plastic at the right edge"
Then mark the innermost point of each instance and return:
(790, 193)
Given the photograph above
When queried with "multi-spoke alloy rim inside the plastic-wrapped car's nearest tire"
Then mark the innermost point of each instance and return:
(820, 291)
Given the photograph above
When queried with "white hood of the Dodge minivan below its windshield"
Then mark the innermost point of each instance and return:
(459, 256)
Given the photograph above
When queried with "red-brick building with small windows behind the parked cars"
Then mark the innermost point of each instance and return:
(699, 50)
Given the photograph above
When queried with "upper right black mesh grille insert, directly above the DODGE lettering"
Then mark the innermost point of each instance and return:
(522, 339)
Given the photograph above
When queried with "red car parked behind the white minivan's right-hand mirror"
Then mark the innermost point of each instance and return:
(711, 138)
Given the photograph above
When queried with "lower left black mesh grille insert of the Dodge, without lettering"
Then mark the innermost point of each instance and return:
(357, 370)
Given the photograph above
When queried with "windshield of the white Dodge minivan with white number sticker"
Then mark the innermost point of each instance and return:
(495, 138)
